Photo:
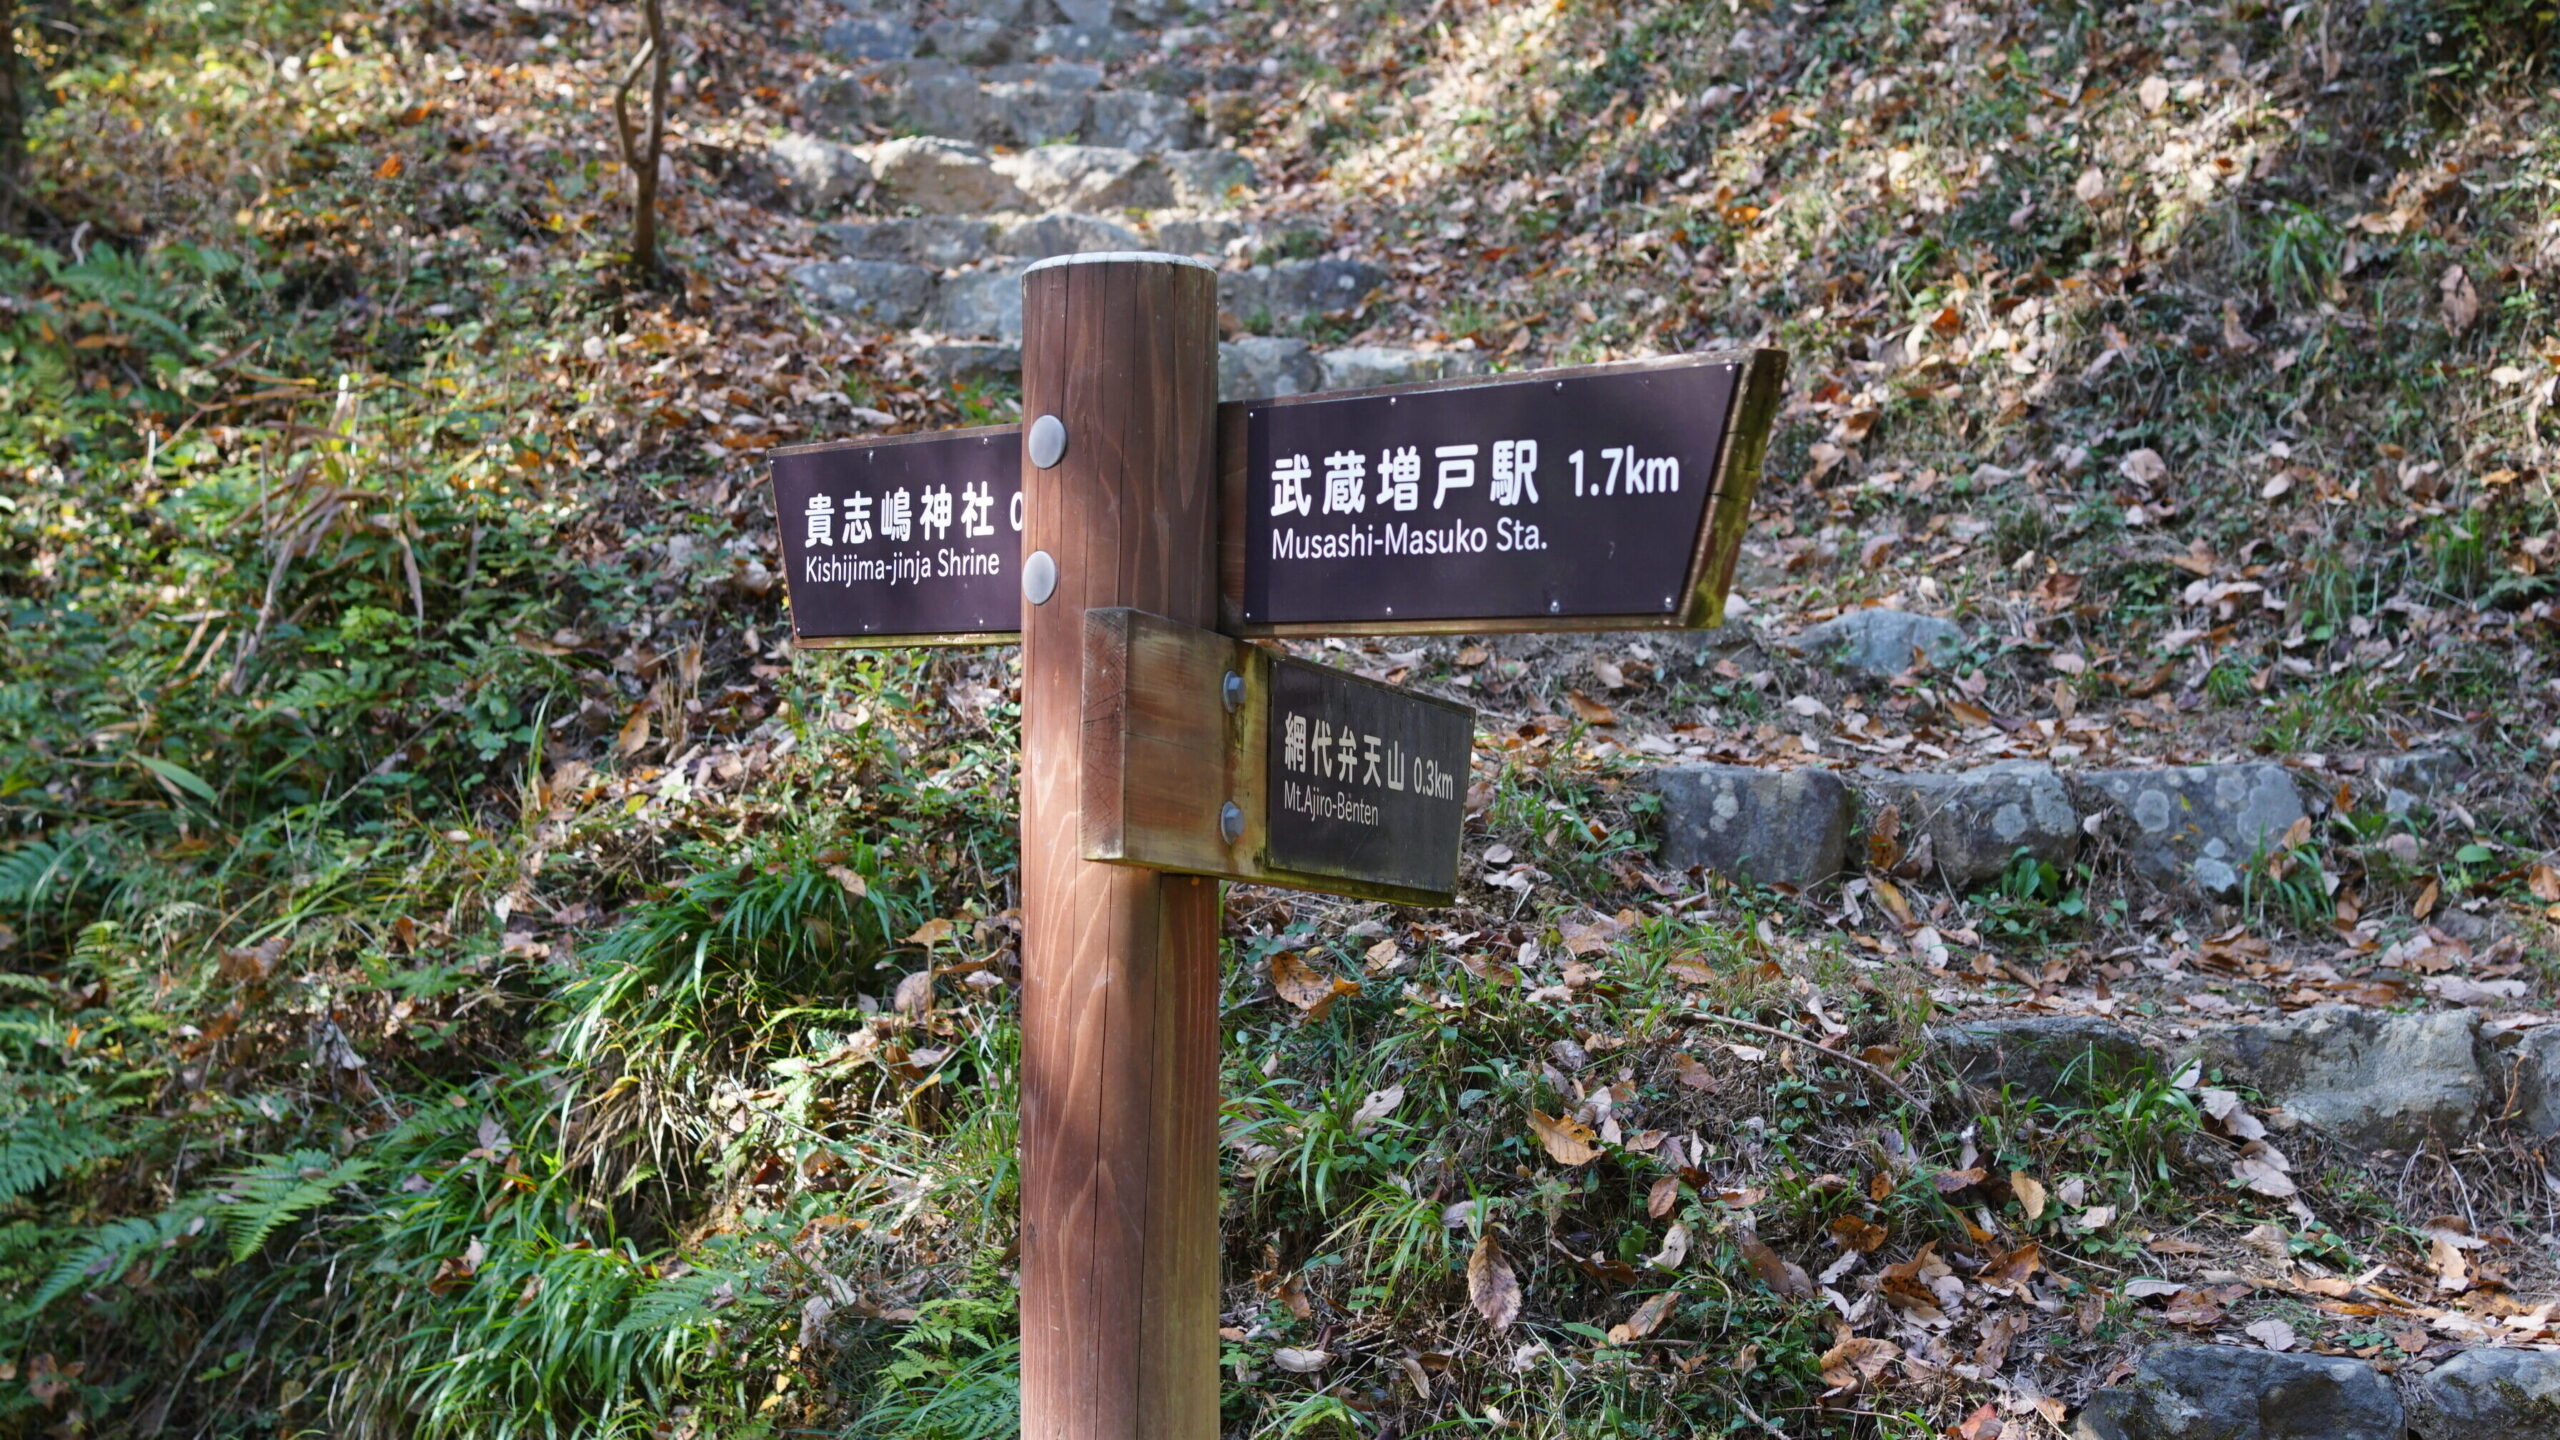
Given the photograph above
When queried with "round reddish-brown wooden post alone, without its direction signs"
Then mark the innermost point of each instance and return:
(1120, 1042)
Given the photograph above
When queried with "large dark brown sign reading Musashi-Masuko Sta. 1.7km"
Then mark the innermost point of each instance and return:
(1555, 501)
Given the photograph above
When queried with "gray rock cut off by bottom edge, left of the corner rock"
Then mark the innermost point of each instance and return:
(2223, 1393)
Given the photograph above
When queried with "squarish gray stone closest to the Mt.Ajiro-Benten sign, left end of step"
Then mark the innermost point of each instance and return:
(1755, 824)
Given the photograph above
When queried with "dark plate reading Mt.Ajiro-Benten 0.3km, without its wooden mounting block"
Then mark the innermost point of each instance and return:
(1366, 780)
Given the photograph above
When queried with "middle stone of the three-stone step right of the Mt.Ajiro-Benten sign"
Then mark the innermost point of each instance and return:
(1980, 821)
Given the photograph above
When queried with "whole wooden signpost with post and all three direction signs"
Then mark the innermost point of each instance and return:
(1135, 537)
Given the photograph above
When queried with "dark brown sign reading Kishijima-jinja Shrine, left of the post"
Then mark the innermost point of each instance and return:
(902, 542)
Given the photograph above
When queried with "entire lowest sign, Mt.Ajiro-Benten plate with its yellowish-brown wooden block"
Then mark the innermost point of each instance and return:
(1335, 783)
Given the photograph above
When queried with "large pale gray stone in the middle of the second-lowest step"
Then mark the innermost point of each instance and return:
(2374, 1080)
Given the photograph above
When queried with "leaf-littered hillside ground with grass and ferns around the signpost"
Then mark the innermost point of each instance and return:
(467, 975)
